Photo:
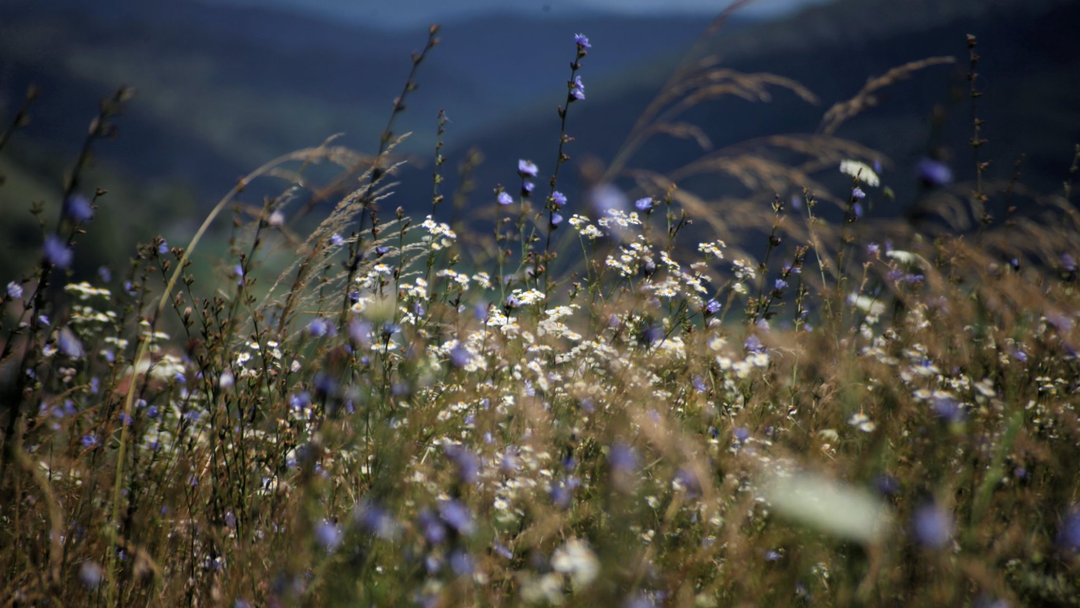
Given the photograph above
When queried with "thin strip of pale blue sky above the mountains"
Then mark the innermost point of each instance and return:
(412, 12)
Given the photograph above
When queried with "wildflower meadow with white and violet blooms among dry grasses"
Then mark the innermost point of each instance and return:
(619, 396)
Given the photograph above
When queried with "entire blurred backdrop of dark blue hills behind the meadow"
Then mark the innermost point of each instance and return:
(223, 89)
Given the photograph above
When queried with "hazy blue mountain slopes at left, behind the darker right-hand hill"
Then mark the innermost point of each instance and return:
(224, 88)
